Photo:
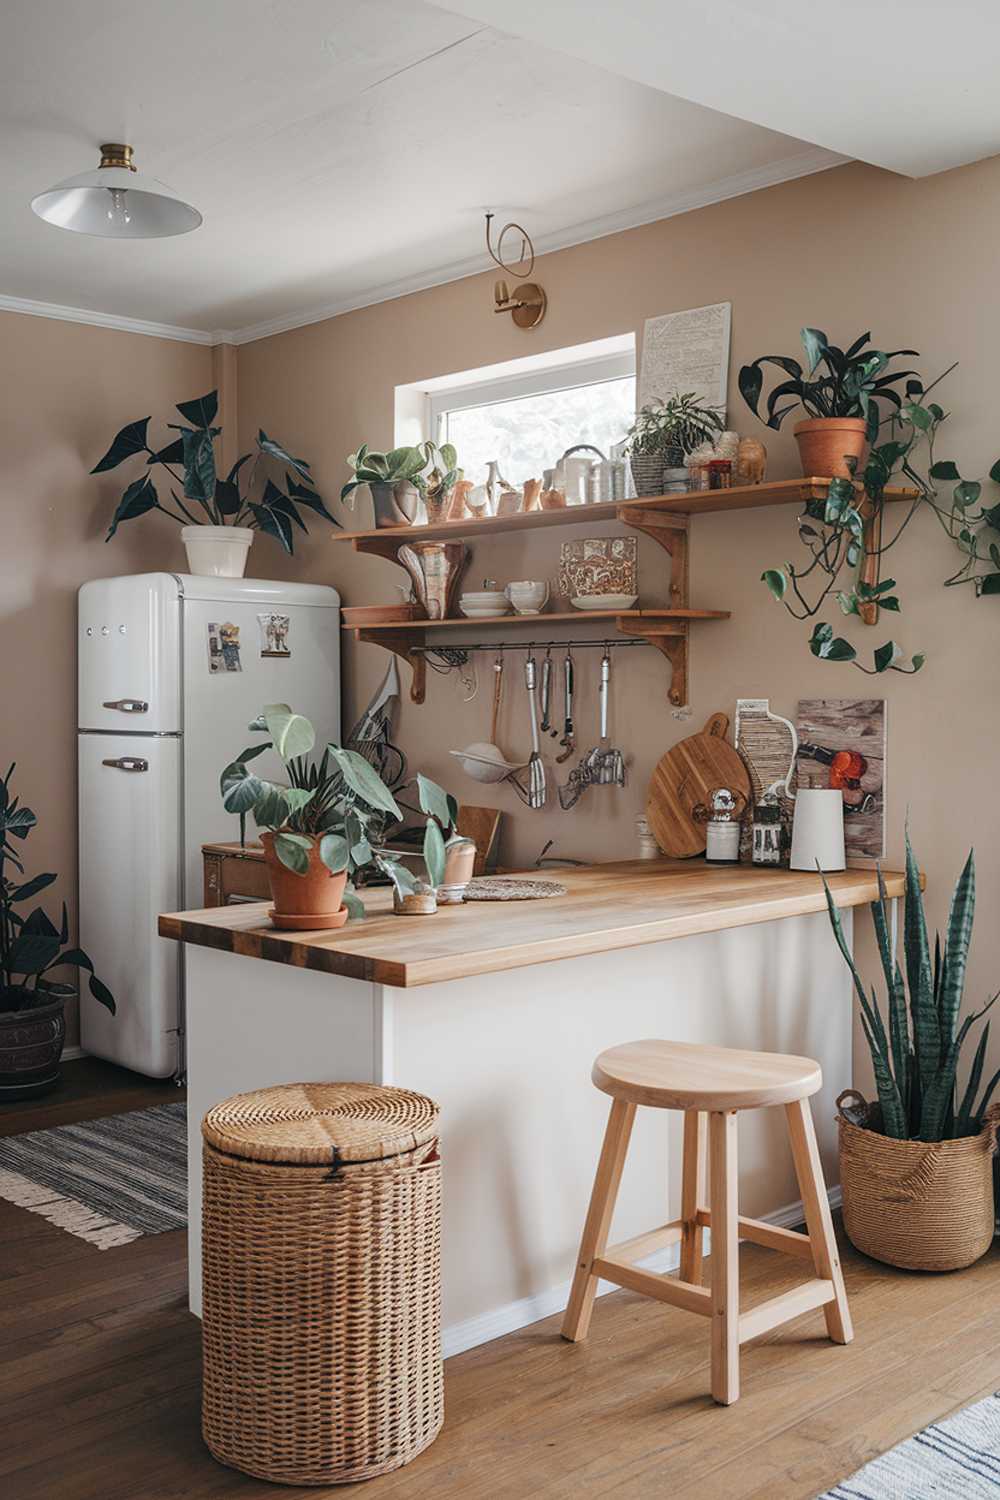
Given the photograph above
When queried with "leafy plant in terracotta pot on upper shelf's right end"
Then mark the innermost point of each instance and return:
(842, 392)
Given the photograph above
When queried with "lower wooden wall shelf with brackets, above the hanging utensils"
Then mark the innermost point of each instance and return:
(665, 629)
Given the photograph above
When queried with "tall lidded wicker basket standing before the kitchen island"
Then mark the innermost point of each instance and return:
(322, 1321)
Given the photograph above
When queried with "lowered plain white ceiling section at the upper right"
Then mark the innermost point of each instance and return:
(908, 85)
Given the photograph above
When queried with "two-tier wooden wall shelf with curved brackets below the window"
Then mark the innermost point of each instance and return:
(665, 518)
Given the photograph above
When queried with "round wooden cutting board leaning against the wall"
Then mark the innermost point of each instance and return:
(684, 778)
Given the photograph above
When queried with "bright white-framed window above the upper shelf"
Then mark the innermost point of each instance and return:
(527, 418)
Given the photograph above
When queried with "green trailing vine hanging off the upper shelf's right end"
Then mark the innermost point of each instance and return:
(839, 533)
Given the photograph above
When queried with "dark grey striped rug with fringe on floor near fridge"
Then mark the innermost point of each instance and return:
(106, 1181)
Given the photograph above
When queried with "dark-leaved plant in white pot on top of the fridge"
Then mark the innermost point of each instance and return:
(218, 517)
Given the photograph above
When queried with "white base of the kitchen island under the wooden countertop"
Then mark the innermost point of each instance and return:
(507, 1057)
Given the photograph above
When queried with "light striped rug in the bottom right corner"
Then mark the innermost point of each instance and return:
(953, 1460)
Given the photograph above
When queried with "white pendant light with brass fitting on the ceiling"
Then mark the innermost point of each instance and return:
(116, 202)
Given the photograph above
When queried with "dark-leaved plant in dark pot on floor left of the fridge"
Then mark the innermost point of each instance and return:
(32, 1024)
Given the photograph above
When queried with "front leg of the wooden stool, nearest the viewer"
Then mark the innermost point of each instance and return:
(725, 1204)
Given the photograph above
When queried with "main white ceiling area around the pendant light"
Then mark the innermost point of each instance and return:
(341, 152)
